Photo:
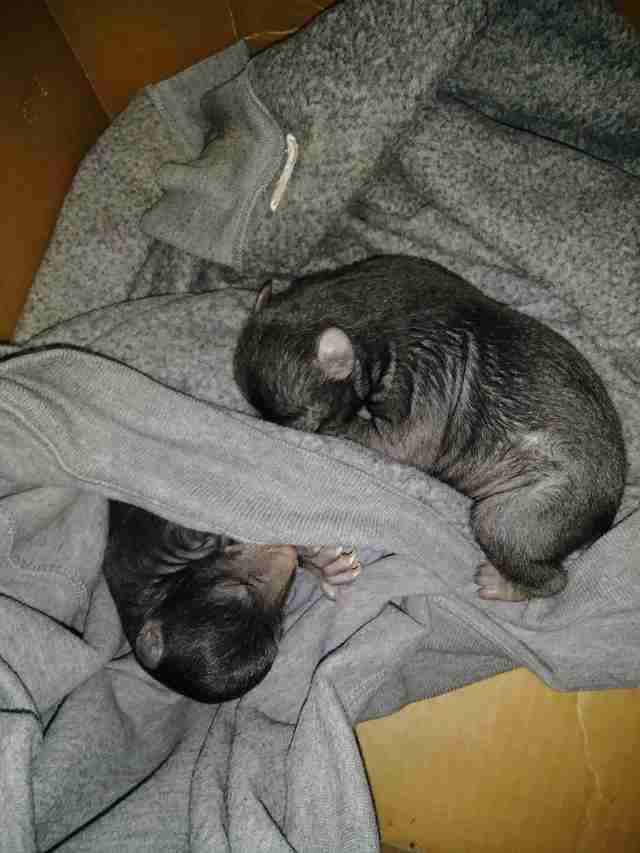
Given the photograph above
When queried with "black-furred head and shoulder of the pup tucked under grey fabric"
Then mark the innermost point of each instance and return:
(217, 624)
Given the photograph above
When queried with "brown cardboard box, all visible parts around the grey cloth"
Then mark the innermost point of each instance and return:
(502, 766)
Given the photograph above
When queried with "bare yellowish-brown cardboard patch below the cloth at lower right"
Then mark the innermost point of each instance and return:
(509, 765)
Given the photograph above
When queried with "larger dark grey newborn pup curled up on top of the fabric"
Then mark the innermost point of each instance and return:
(481, 396)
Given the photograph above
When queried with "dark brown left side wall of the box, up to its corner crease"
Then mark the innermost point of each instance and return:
(50, 116)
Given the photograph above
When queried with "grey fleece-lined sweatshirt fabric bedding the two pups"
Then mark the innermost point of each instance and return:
(500, 139)
